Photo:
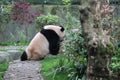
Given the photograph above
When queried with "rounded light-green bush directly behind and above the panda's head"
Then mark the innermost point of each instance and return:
(46, 19)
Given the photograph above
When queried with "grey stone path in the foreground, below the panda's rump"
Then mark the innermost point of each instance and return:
(23, 70)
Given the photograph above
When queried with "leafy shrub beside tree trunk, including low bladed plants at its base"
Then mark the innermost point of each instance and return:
(75, 62)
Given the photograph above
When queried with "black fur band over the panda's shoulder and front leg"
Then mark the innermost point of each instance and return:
(53, 39)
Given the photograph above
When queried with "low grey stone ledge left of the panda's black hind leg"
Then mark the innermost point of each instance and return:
(10, 55)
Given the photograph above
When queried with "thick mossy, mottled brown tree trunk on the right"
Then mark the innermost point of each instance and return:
(99, 42)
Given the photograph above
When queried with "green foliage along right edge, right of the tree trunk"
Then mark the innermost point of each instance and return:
(115, 65)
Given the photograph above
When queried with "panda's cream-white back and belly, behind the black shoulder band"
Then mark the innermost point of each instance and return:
(38, 45)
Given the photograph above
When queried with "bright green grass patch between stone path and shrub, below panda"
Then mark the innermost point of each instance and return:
(50, 69)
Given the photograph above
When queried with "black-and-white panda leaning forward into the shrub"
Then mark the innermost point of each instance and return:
(44, 42)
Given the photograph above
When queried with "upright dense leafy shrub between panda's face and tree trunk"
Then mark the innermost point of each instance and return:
(76, 54)
